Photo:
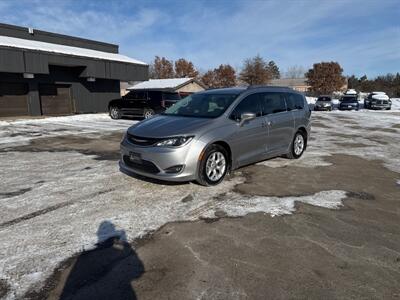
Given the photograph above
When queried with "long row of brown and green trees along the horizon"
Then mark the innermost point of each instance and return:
(322, 78)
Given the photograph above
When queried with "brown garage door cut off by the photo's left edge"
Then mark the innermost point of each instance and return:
(13, 99)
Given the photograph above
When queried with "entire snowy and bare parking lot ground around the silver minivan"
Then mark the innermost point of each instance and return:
(63, 200)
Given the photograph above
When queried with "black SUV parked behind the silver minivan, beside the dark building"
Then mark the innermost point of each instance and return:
(142, 104)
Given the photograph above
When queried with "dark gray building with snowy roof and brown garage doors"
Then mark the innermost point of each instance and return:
(43, 73)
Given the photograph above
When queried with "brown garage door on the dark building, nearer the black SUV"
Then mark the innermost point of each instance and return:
(55, 99)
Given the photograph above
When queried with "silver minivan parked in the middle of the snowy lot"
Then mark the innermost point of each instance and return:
(207, 134)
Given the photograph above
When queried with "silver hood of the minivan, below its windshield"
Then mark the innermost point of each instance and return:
(165, 126)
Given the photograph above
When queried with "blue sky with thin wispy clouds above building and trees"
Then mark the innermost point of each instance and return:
(362, 35)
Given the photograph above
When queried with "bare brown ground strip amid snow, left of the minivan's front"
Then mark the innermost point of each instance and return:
(103, 147)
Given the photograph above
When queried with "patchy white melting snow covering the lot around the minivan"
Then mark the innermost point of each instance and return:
(53, 202)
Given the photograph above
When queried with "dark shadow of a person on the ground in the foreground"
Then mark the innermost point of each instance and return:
(106, 272)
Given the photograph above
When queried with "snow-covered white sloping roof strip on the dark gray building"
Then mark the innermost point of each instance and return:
(11, 42)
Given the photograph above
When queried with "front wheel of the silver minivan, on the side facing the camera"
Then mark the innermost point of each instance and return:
(211, 172)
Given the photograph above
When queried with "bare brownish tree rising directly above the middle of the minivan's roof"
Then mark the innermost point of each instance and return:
(255, 71)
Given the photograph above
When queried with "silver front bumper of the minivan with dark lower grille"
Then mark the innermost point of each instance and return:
(155, 160)
